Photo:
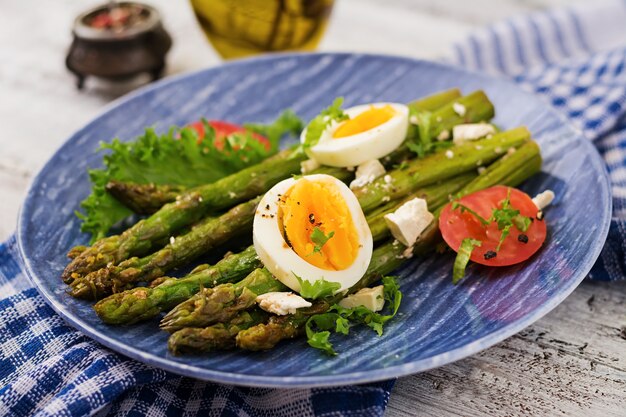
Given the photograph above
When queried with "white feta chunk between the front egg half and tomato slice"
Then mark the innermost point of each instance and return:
(409, 221)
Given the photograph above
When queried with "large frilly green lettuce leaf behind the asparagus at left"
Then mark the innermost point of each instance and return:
(174, 157)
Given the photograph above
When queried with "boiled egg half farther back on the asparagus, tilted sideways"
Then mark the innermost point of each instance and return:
(371, 132)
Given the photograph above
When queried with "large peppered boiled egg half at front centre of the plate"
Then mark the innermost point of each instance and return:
(312, 227)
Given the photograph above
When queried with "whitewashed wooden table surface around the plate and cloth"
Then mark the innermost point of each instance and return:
(571, 362)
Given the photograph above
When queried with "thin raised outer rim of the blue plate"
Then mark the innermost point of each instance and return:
(362, 377)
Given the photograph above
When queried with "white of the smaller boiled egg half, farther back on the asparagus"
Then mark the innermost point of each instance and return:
(356, 149)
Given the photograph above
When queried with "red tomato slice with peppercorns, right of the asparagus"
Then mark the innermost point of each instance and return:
(456, 225)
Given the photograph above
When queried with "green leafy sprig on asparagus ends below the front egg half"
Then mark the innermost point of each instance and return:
(340, 319)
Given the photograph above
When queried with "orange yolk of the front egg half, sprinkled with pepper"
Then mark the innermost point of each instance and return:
(309, 205)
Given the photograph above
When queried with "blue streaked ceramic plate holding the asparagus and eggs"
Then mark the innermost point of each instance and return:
(438, 323)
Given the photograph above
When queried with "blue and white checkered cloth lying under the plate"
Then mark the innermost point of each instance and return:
(575, 58)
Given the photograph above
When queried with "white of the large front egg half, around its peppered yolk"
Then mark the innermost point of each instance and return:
(283, 262)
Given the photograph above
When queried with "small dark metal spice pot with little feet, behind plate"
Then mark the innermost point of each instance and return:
(118, 55)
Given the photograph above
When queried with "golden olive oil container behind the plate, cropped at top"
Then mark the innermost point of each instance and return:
(238, 28)
